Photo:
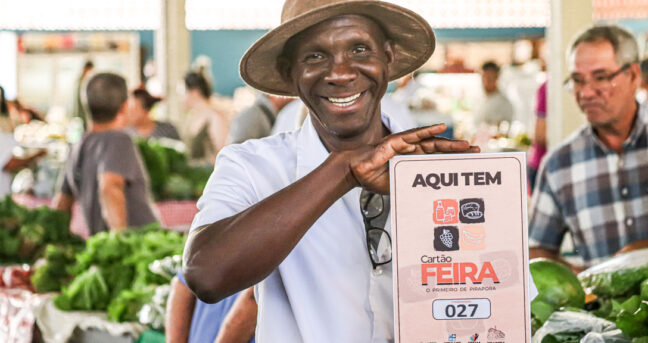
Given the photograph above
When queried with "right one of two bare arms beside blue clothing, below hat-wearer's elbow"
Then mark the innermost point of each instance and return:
(240, 322)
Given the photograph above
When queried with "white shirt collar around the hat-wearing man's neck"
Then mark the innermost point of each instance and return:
(311, 151)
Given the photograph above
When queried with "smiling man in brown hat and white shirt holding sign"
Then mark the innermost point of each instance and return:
(300, 214)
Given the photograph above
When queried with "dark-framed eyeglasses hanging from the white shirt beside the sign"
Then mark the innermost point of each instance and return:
(372, 206)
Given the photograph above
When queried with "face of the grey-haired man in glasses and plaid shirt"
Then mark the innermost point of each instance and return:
(612, 104)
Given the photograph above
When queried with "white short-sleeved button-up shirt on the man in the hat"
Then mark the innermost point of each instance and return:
(326, 289)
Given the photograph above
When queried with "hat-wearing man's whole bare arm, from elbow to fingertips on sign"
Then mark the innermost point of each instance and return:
(239, 251)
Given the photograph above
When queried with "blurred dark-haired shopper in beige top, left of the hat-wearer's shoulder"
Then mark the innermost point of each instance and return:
(207, 128)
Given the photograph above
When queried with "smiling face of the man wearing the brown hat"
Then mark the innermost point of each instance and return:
(340, 69)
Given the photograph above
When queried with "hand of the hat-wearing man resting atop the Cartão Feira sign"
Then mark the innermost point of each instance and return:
(369, 167)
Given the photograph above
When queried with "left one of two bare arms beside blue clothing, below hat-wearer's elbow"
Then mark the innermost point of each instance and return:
(179, 312)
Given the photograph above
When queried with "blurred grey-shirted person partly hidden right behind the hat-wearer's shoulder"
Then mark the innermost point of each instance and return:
(257, 120)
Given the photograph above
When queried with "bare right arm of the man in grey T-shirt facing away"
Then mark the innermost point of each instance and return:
(113, 200)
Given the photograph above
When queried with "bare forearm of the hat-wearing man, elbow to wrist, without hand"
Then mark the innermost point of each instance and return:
(217, 266)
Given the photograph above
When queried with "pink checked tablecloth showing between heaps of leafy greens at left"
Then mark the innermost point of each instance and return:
(175, 215)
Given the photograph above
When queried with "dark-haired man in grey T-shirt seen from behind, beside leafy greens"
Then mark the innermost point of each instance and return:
(104, 171)
